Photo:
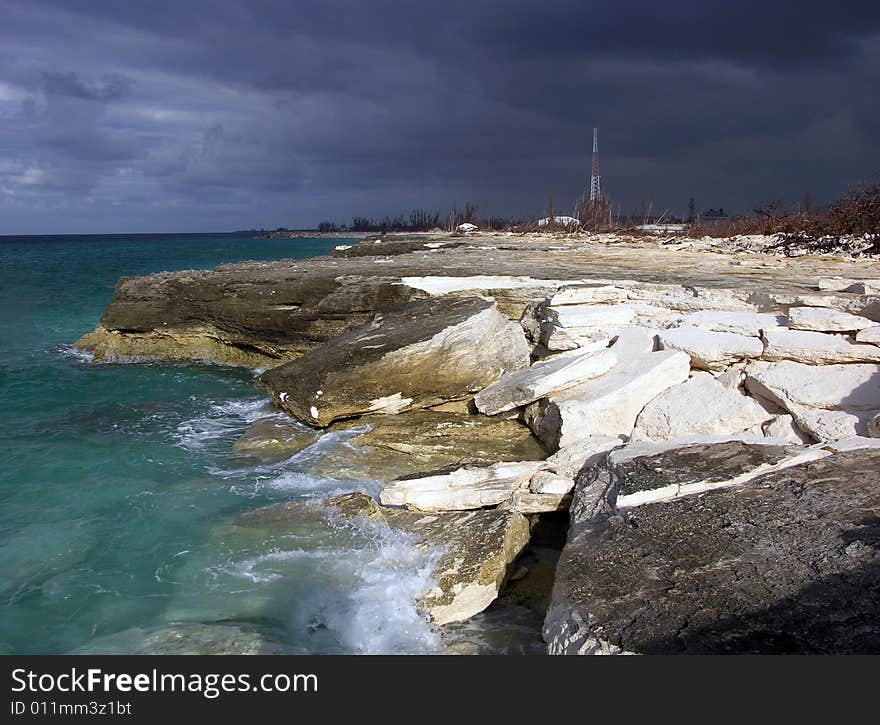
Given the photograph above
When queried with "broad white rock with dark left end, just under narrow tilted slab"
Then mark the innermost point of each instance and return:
(609, 405)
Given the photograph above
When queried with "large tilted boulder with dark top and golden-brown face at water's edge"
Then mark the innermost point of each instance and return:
(416, 355)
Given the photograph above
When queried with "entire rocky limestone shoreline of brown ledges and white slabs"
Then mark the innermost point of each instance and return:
(705, 414)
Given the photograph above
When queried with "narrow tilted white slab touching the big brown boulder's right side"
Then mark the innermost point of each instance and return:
(525, 386)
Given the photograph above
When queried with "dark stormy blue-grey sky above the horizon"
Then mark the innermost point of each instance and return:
(232, 114)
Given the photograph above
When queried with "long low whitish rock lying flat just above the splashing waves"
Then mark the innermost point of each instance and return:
(470, 487)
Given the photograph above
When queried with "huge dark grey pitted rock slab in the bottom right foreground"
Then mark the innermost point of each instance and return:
(787, 563)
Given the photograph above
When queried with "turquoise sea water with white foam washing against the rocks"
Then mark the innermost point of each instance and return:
(120, 497)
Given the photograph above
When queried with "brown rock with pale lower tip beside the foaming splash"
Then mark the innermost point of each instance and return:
(478, 548)
